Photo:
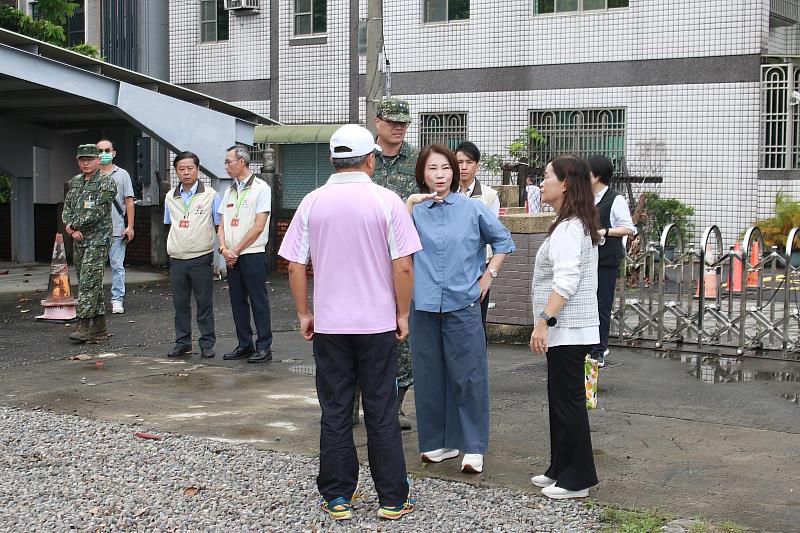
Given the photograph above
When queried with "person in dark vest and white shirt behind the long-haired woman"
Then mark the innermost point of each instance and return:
(615, 223)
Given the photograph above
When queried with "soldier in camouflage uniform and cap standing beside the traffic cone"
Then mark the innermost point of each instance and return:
(87, 217)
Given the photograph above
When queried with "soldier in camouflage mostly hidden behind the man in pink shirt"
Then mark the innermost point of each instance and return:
(395, 169)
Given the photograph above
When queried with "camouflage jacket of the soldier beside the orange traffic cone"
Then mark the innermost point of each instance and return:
(87, 206)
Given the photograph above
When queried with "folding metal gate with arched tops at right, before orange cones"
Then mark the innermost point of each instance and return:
(747, 298)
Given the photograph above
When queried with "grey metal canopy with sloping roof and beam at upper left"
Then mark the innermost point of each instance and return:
(58, 89)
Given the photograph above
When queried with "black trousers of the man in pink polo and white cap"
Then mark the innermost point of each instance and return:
(371, 361)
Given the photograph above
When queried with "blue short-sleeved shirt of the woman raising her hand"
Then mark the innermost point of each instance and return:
(454, 235)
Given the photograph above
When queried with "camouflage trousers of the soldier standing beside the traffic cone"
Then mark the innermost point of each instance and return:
(90, 261)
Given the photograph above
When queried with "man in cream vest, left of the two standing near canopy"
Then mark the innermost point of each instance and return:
(191, 212)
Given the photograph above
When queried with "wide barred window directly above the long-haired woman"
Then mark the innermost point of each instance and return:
(585, 132)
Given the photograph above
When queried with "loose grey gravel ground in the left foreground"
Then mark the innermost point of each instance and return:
(60, 472)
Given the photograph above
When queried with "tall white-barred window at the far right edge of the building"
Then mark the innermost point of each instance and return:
(780, 117)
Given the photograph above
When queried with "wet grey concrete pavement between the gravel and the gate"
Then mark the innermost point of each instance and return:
(727, 448)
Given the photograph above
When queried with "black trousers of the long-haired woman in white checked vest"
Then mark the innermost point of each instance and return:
(571, 461)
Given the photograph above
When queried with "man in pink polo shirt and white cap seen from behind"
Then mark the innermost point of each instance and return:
(361, 238)
